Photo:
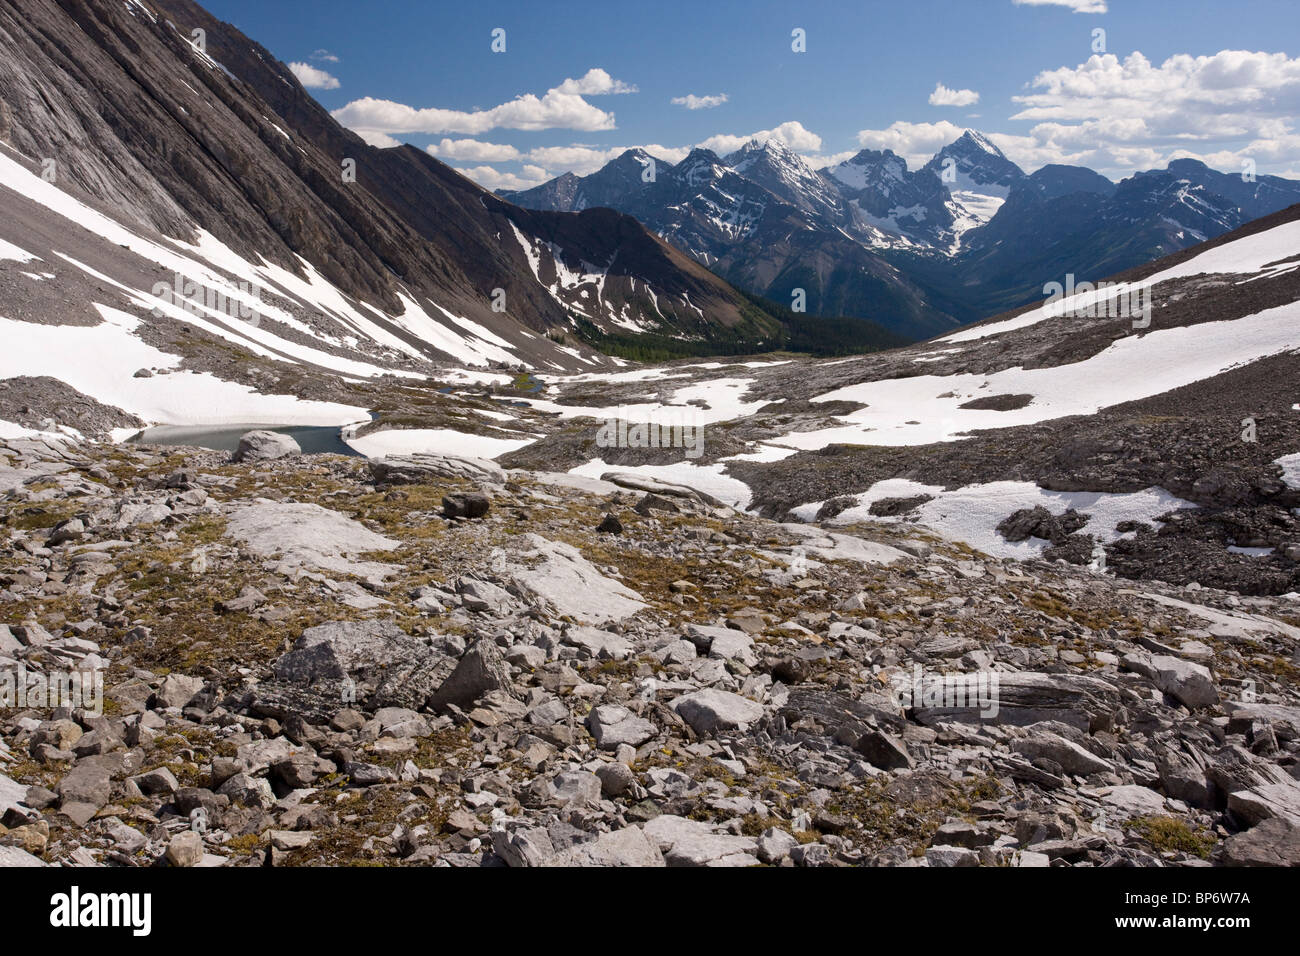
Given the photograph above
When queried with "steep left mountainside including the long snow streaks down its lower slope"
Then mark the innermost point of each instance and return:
(391, 254)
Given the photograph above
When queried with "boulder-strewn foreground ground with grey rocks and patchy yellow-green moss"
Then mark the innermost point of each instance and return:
(437, 661)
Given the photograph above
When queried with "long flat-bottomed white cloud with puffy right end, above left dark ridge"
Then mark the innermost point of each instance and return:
(562, 107)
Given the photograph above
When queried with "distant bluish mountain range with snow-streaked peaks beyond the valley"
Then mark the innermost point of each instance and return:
(967, 236)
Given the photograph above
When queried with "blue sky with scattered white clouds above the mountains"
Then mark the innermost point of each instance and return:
(1217, 80)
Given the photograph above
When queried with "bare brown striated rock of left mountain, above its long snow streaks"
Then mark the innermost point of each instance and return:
(224, 140)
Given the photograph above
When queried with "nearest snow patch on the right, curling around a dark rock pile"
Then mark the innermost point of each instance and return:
(972, 514)
